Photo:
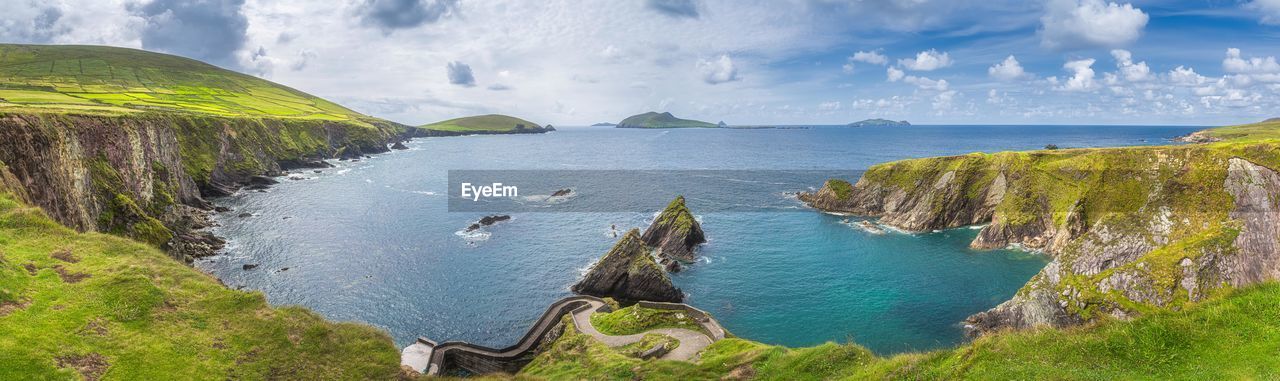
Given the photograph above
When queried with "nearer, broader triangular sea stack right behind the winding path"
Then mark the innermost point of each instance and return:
(629, 273)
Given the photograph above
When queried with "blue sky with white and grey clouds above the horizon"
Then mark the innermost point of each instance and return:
(743, 62)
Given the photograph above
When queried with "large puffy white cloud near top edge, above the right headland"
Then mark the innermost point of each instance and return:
(1069, 25)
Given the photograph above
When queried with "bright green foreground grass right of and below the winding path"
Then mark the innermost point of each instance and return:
(1236, 337)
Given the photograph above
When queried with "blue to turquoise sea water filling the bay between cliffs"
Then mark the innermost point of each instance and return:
(376, 241)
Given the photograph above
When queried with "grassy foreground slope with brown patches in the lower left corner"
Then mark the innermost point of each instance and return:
(126, 311)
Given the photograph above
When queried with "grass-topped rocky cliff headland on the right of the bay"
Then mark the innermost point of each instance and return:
(1130, 231)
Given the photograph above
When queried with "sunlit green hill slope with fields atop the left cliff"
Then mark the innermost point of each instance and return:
(102, 80)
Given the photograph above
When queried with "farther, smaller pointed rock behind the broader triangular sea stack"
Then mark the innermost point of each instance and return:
(675, 233)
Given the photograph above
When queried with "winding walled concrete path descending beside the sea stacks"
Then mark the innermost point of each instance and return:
(431, 359)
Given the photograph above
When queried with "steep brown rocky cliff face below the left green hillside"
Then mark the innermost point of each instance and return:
(147, 176)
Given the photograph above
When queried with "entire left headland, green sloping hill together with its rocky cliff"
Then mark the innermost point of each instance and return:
(131, 143)
